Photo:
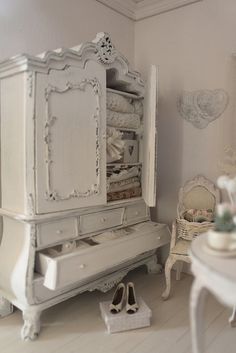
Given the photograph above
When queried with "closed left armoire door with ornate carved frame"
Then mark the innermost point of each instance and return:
(70, 138)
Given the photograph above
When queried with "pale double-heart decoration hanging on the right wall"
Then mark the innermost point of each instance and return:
(202, 107)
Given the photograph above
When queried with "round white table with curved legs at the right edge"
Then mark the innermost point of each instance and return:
(214, 274)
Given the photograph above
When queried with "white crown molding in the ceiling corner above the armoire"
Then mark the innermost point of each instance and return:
(140, 9)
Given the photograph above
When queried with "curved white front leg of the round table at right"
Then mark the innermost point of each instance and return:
(197, 301)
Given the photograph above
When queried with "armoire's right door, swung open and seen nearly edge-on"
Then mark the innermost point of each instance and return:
(150, 139)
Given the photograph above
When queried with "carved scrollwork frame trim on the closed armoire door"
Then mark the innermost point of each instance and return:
(51, 194)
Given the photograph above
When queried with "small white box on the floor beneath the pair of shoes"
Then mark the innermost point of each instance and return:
(123, 321)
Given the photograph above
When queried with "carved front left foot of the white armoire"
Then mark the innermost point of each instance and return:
(31, 327)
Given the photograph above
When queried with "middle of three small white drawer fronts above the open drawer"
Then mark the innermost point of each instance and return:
(101, 220)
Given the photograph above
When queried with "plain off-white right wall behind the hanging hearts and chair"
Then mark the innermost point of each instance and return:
(193, 48)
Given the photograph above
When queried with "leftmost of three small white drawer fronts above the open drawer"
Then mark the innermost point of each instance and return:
(54, 232)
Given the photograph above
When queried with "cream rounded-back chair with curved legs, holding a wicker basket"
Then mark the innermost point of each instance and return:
(197, 194)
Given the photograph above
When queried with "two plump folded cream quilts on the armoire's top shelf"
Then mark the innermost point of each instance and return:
(123, 112)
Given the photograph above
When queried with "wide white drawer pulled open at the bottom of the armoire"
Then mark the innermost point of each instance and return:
(98, 253)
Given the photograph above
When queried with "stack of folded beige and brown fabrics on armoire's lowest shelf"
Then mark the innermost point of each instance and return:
(124, 185)
